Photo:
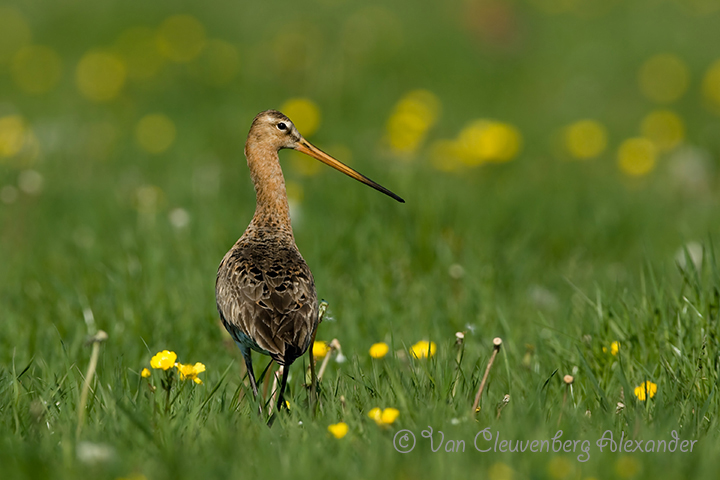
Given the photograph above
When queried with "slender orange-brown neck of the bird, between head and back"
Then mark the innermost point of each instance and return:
(272, 210)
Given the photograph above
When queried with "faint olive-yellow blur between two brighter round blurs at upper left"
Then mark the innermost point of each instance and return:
(138, 48)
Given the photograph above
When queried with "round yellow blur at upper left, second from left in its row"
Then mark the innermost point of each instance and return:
(100, 76)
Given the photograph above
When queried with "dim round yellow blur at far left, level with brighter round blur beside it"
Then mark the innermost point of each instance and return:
(36, 69)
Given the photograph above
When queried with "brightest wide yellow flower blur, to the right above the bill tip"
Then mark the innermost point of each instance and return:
(488, 141)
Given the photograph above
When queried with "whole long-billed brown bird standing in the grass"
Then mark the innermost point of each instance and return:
(264, 290)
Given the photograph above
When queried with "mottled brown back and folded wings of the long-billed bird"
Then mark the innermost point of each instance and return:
(266, 292)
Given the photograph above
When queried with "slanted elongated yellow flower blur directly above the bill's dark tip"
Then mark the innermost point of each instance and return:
(411, 119)
